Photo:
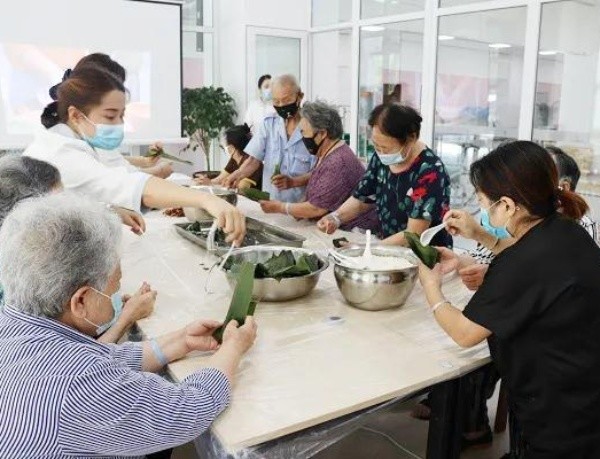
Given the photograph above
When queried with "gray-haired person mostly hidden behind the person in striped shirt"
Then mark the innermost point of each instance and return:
(22, 177)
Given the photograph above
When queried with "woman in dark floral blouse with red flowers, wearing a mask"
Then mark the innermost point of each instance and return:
(405, 179)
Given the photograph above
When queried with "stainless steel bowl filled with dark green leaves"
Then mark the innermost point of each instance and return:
(272, 289)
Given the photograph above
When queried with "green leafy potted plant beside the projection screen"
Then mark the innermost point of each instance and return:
(206, 112)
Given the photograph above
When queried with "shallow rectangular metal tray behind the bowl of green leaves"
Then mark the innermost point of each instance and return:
(260, 233)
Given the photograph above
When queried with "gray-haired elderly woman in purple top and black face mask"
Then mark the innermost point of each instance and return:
(336, 175)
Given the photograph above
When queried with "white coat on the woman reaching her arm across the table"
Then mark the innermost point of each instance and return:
(82, 171)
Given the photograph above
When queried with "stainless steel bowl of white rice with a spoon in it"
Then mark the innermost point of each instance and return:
(376, 290)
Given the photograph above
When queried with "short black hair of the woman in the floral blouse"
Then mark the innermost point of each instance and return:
(397, 121)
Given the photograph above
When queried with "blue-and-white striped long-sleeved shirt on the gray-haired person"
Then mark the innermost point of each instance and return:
(62, 394)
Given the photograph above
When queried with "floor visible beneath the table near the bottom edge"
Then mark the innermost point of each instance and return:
(390, 435)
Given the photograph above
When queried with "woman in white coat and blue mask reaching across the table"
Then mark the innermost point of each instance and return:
(89, 115)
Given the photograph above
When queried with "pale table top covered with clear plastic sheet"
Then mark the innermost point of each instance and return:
(305, 368)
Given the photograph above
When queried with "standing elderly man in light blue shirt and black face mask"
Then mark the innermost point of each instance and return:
(278, 145)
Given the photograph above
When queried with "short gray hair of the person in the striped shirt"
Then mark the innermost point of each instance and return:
(53, 245)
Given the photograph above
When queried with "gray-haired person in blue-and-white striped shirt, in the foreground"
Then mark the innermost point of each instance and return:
(64, 394)
